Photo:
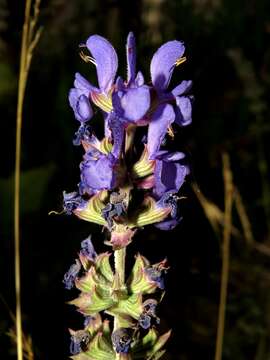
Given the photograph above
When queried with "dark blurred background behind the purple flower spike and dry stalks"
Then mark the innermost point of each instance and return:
(228, 58)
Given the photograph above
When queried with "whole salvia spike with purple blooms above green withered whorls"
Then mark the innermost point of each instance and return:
(127, 180)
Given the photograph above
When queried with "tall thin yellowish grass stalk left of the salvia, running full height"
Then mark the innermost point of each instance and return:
(30, 37)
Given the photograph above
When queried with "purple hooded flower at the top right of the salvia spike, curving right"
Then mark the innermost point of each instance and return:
(163, 63)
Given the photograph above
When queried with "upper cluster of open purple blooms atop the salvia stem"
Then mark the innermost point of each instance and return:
(111, 171)
